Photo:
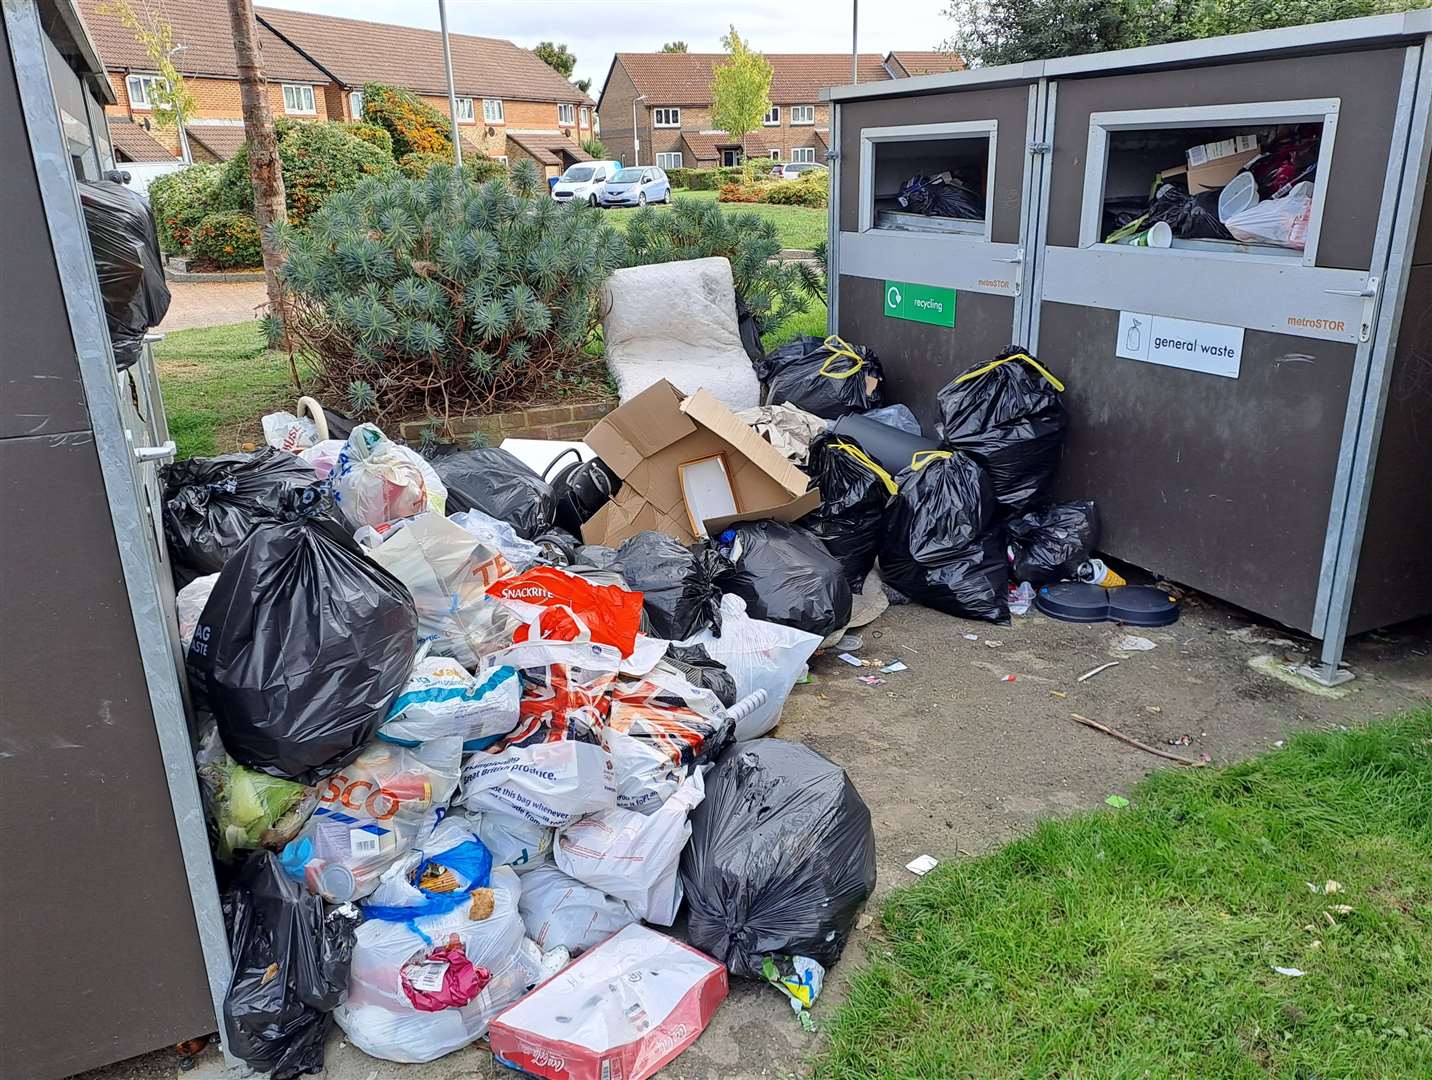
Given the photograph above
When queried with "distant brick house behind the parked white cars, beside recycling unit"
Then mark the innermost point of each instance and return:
(672, 98)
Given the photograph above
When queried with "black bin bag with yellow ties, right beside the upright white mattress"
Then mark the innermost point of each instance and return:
(827, 377)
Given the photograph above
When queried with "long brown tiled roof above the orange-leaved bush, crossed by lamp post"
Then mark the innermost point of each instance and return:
(359, 52)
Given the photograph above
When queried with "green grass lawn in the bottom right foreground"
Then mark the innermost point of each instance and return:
(1143, 942)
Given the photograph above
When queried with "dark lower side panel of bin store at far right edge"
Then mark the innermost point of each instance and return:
(1393, 571)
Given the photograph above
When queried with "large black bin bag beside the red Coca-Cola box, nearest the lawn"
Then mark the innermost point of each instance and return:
(781, 859)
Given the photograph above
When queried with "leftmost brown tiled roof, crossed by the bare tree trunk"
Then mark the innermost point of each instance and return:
(204, 29)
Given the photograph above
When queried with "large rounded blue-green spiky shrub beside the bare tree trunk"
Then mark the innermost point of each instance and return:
(443, 296)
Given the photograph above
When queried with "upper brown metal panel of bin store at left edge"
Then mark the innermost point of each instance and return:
(39, 386)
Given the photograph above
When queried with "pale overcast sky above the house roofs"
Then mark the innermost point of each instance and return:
(596, 29)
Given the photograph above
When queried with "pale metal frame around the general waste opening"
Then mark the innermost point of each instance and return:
(1244, 115)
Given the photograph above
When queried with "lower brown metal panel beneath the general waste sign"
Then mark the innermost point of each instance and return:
(1221, 483)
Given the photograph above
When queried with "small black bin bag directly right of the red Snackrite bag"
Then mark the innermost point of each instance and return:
(679, 592)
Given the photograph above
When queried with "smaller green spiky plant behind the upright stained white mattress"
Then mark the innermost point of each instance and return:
(692, 230)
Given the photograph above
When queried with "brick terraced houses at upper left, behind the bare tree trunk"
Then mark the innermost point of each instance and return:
(511, 104)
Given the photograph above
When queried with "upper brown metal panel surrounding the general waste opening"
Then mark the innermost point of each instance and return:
(1367, 84)
